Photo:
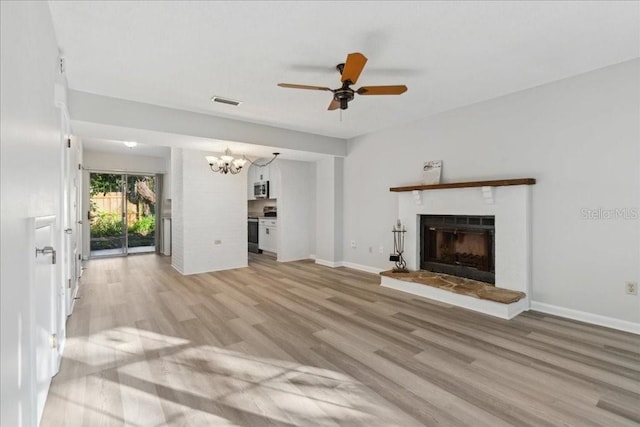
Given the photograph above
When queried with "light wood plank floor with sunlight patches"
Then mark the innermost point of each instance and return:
(299, 344)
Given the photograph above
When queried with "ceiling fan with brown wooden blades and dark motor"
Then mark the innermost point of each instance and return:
(350, 71)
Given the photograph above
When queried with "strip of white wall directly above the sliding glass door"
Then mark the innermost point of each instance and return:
(96, 160)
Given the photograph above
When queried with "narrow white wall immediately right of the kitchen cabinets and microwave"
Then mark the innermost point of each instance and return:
(296, 208)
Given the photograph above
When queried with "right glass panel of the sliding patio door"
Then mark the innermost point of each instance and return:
(141, 213)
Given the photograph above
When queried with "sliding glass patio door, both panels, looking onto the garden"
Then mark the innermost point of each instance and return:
(122, 214)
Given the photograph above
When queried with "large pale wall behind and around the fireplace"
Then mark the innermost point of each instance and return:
(579, 137)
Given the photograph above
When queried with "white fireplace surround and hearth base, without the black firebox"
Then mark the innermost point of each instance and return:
(511, 206)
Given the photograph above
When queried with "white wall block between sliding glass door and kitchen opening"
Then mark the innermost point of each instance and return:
(206, 207)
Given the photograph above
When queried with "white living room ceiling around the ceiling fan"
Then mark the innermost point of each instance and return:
(449, 54)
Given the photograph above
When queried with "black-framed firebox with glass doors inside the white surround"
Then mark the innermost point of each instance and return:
(460, 245)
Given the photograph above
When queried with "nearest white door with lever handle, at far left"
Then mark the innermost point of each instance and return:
(44, 300)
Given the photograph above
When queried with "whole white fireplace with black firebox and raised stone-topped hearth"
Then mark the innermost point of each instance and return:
(501, 212)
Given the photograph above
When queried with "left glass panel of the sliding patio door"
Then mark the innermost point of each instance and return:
(106, 214)
